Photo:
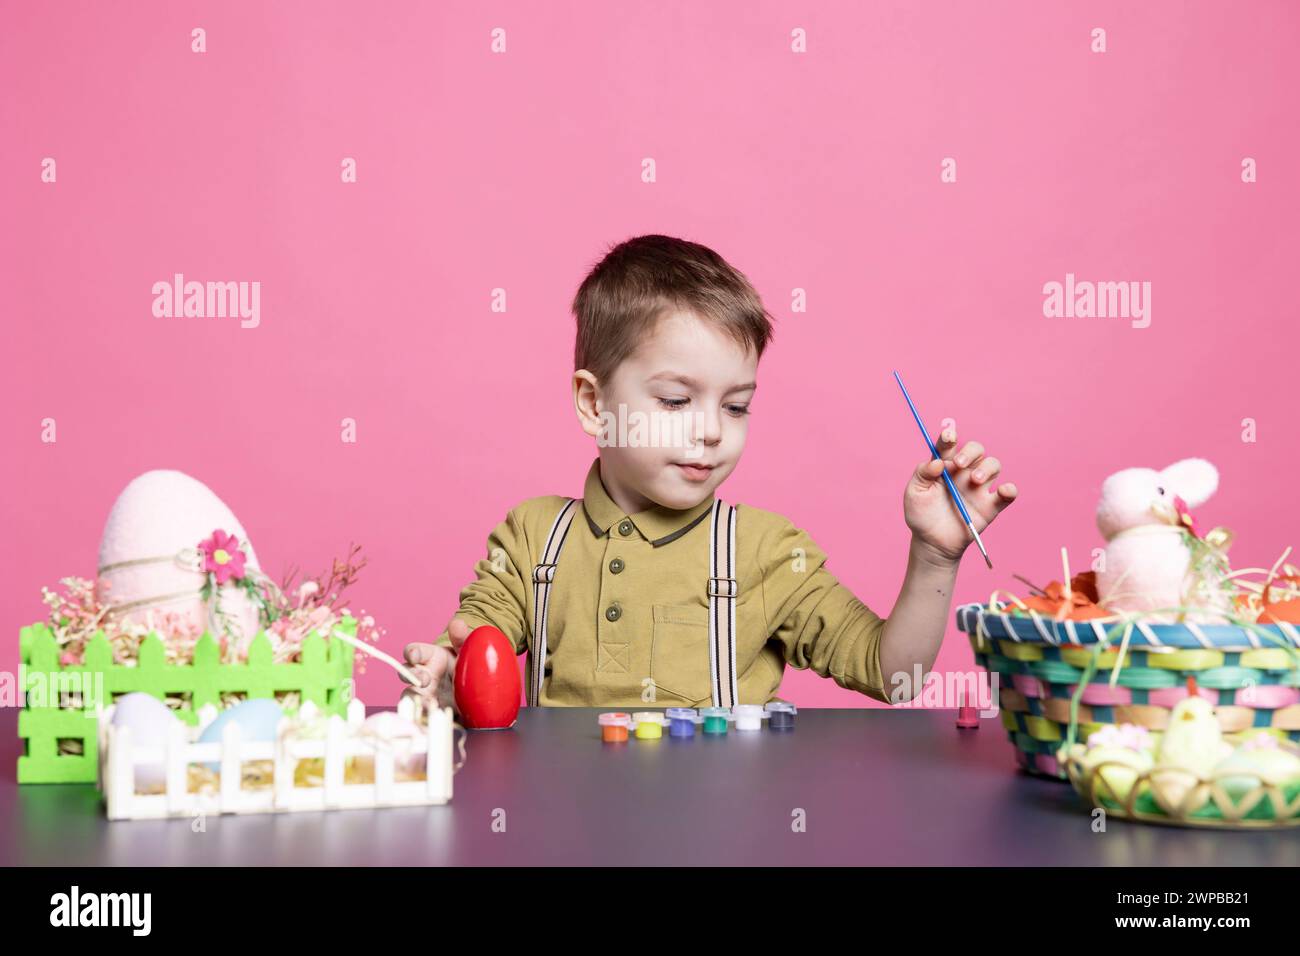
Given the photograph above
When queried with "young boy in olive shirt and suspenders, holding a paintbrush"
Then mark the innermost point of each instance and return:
(658, 592)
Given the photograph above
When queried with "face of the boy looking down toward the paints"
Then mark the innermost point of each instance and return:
(688, 390)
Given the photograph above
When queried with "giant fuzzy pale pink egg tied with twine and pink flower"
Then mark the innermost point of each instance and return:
(151, 556)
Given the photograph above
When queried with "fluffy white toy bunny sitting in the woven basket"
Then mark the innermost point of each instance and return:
(1145, 516)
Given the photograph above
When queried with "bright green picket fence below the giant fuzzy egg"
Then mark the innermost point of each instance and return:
(323, 676)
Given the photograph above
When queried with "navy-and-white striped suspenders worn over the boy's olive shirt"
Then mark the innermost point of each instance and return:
(722, 587)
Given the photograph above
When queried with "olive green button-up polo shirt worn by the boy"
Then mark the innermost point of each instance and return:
(629, 621)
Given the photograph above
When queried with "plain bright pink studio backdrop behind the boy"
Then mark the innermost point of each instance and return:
(816, 171)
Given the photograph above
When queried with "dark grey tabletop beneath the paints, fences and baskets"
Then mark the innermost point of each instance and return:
(895, 788)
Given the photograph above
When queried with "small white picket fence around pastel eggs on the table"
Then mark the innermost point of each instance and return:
(120, 760)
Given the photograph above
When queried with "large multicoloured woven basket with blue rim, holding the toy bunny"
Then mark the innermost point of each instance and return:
(1041, 663)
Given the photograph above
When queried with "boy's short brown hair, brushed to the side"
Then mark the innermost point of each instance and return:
(642, 280)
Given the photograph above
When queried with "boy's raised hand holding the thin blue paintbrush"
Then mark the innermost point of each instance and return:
(929, 509)
